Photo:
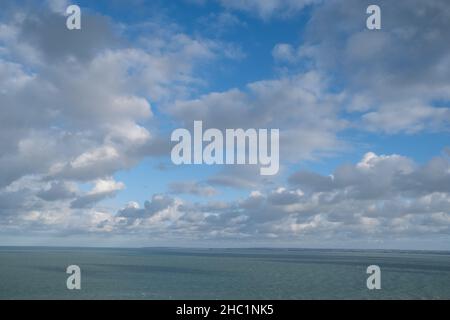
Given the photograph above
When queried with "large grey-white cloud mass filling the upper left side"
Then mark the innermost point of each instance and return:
(86, 114)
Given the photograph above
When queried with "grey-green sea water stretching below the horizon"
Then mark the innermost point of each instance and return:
(39, 273)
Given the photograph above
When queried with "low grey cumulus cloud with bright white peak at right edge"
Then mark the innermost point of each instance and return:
(379, 177)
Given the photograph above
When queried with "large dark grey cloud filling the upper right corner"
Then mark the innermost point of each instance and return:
(392, 77)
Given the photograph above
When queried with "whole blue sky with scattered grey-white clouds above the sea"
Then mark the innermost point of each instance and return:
(86, 118)
